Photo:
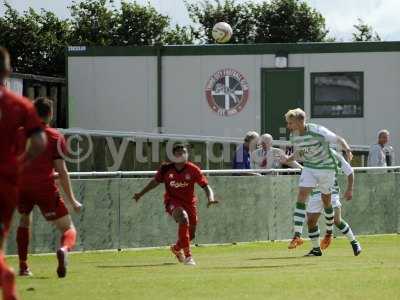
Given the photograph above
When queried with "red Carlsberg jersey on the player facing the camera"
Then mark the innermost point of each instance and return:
(179, 185)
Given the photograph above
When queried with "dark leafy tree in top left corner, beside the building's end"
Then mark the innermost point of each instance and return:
(36, 41)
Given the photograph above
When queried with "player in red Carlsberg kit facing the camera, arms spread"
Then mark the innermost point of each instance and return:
(180, 201)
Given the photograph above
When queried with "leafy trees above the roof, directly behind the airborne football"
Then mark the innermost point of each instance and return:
(273, 21)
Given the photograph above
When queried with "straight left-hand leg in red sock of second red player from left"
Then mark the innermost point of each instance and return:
(23, 236)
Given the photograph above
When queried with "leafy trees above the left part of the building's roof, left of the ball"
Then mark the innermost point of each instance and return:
(98, 22)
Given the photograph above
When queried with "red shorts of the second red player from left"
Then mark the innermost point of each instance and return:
(49, 201)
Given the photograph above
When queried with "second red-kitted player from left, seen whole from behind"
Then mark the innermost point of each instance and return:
(38, 187)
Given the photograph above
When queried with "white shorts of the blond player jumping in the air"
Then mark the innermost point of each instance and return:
(323, 179)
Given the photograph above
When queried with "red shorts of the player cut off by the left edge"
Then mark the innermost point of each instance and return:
(8, 202)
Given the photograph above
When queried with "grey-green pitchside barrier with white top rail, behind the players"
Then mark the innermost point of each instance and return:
(251, 208)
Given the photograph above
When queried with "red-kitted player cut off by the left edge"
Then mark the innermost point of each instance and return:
(15, 112)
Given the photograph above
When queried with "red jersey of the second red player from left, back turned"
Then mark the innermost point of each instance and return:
(40, 172)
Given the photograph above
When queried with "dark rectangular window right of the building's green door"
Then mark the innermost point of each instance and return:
(337, 95)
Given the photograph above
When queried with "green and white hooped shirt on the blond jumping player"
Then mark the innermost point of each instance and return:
(313, 147)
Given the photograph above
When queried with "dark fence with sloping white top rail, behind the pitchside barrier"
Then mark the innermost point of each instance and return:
(98, 150)
